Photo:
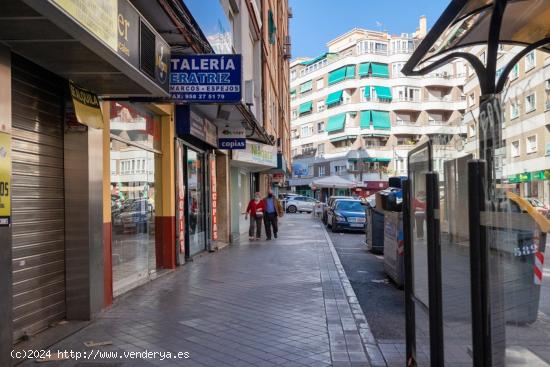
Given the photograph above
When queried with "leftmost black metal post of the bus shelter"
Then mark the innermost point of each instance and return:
(409, 303)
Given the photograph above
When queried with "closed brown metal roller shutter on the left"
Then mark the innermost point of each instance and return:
(37, 199)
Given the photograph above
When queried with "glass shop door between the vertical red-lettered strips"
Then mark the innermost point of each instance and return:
(196, 196)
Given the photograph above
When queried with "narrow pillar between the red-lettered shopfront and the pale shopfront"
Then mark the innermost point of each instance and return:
(223, 200)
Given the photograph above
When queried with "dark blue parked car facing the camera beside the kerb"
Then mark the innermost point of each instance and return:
(346, 214)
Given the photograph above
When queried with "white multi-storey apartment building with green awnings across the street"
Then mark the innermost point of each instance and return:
(353, 106)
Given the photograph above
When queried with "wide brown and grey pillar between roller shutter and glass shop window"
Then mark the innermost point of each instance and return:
(84, 223)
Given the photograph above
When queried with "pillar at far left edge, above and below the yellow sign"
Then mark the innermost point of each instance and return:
(6, 331)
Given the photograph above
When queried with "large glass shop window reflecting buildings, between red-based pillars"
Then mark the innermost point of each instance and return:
(135, 151)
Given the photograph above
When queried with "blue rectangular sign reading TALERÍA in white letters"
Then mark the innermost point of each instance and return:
(206, 78)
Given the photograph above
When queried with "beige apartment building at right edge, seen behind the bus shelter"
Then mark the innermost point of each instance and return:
(524, 162)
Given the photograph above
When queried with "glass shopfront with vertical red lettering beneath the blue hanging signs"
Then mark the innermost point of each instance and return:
(195, 156)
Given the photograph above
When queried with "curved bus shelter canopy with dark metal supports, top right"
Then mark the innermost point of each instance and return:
(466, 23)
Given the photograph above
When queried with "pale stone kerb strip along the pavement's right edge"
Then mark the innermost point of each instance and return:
(369, 342)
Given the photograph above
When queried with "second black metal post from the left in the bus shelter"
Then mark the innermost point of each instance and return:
(434, 270)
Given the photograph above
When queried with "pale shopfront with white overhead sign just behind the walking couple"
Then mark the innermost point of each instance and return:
(246, 166)
